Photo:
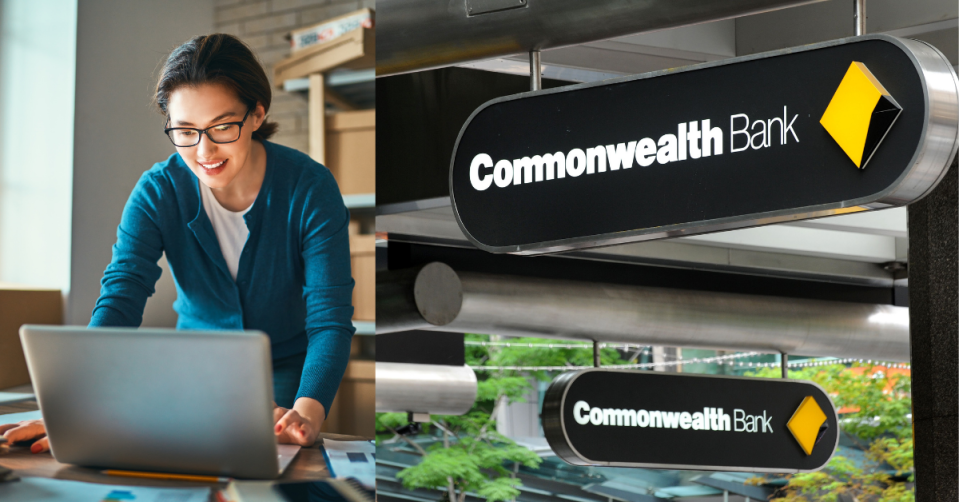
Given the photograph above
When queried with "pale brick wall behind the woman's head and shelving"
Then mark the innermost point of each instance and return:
(263, 25)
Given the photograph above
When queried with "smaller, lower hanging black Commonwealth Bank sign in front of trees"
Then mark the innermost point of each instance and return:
(672, 421)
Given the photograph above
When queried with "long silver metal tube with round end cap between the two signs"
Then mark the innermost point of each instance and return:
(523, 306)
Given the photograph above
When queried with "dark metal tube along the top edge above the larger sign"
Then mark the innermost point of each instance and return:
(414, 35)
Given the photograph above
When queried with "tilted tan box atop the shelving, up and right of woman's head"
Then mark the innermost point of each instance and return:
(355, 50)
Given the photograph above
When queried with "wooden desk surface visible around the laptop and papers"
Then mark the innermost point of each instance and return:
(308, 464)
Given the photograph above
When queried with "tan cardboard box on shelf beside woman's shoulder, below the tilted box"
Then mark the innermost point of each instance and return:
(351, 150)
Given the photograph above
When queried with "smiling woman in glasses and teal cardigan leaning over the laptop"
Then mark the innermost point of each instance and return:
(254, 233)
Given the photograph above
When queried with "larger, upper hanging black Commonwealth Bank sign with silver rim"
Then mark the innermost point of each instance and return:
(845, 126)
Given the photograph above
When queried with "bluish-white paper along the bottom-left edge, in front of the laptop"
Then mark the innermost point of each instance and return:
(45, 489)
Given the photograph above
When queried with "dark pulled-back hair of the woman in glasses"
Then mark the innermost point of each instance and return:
(217, 59)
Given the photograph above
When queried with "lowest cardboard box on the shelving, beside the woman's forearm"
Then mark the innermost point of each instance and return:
(354, 407)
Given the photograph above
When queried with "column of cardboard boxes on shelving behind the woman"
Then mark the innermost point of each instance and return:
(345, 142)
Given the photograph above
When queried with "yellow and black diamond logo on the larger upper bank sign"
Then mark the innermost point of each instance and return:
(860, 114)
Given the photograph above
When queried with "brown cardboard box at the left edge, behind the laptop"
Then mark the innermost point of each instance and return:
(18, 306)
